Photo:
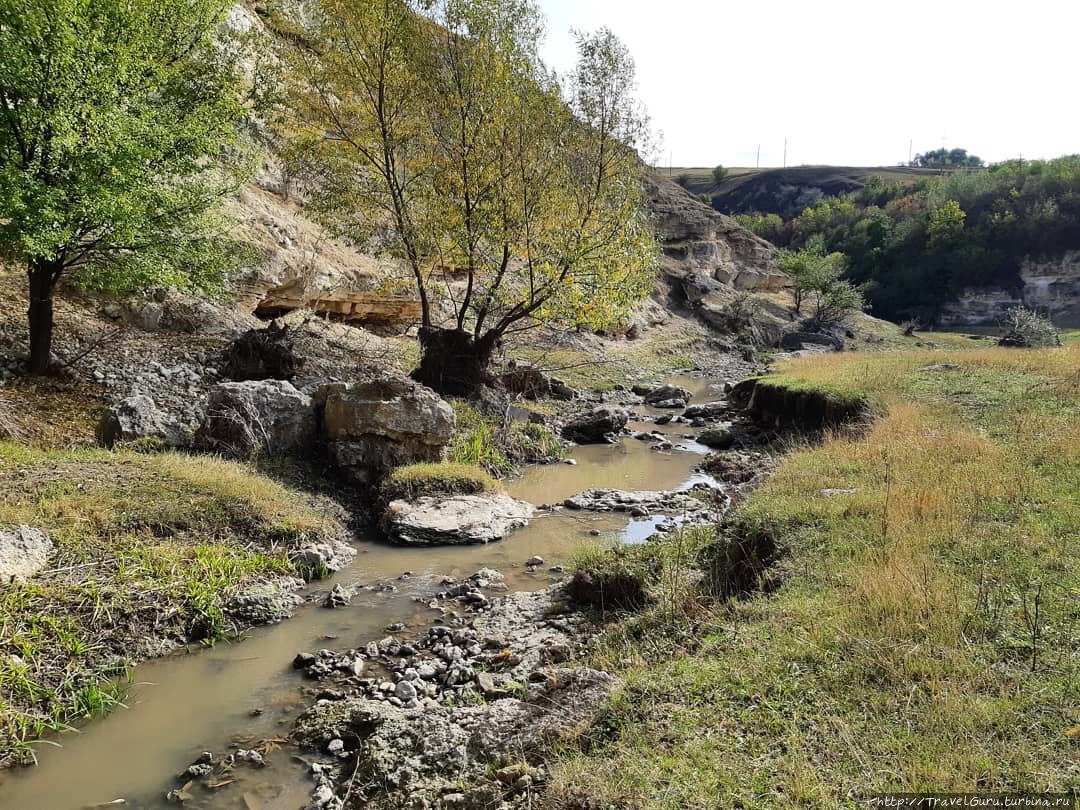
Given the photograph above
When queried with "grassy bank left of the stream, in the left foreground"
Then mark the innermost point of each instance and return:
(148, 550)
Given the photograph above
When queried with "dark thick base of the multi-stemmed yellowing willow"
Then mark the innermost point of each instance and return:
(453, 363)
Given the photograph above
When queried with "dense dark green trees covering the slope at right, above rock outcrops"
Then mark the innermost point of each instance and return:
(917, 246)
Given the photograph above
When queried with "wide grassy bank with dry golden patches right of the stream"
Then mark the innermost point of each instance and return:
(927, 632)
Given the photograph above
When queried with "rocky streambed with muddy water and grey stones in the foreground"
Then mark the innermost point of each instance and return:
(434, 686)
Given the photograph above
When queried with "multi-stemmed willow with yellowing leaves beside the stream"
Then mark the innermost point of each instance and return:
(435, 133)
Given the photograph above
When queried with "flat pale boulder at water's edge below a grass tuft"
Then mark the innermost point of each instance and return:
(455, 521)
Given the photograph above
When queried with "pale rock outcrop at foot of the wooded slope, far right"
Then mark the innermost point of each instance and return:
(1051, 287)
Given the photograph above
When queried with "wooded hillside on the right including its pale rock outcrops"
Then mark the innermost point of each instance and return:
(955, 250)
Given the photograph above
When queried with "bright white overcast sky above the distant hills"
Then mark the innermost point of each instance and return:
(846, 84)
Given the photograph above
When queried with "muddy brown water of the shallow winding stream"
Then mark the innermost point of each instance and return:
(242, 695)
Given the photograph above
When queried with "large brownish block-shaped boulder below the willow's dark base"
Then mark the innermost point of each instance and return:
(375, 426)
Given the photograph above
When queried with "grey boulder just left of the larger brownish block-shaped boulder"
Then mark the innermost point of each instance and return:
(258, 416)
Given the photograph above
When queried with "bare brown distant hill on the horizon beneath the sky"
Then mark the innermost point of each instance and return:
(787, 192)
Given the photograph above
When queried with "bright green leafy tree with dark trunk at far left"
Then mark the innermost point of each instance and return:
(112, 114)
